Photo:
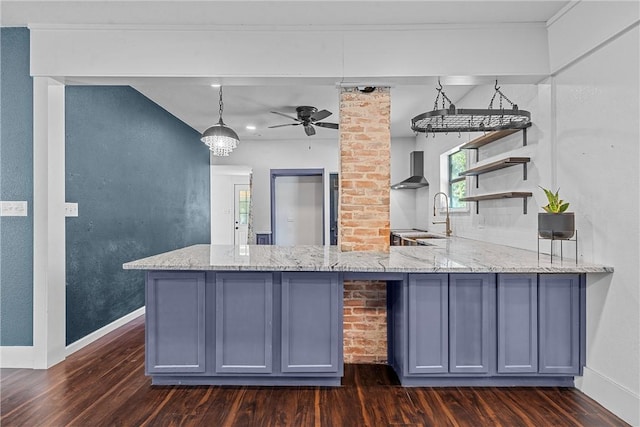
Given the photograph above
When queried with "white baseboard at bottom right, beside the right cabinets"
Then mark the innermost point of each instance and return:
(618, 399)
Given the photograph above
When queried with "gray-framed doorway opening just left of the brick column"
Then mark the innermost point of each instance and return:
(297, 206)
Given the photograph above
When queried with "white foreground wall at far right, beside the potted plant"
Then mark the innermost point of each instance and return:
(596, 141)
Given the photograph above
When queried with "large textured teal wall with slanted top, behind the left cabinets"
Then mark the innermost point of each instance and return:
(140, 177)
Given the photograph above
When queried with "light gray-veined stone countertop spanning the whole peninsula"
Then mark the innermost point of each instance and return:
(451, 255)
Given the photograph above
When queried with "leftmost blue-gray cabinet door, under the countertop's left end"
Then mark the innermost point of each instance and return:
(175, 325)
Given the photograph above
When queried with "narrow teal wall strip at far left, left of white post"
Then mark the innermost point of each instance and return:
(16, 183)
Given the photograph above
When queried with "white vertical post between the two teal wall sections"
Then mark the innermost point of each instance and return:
(49, 324)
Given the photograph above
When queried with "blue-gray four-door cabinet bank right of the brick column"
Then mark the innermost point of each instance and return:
(487, 329)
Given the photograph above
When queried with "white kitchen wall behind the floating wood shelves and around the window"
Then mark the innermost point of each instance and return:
(499, 221)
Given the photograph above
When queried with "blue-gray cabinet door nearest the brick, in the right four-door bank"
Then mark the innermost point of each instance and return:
(428, 339)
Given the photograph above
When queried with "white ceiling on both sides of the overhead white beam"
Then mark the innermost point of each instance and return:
(196, 103)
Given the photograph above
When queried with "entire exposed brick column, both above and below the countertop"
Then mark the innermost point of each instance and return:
(365, 142)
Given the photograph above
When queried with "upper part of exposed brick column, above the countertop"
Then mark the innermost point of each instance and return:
(365, 142)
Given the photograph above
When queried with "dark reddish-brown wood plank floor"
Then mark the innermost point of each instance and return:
(104, 385)
